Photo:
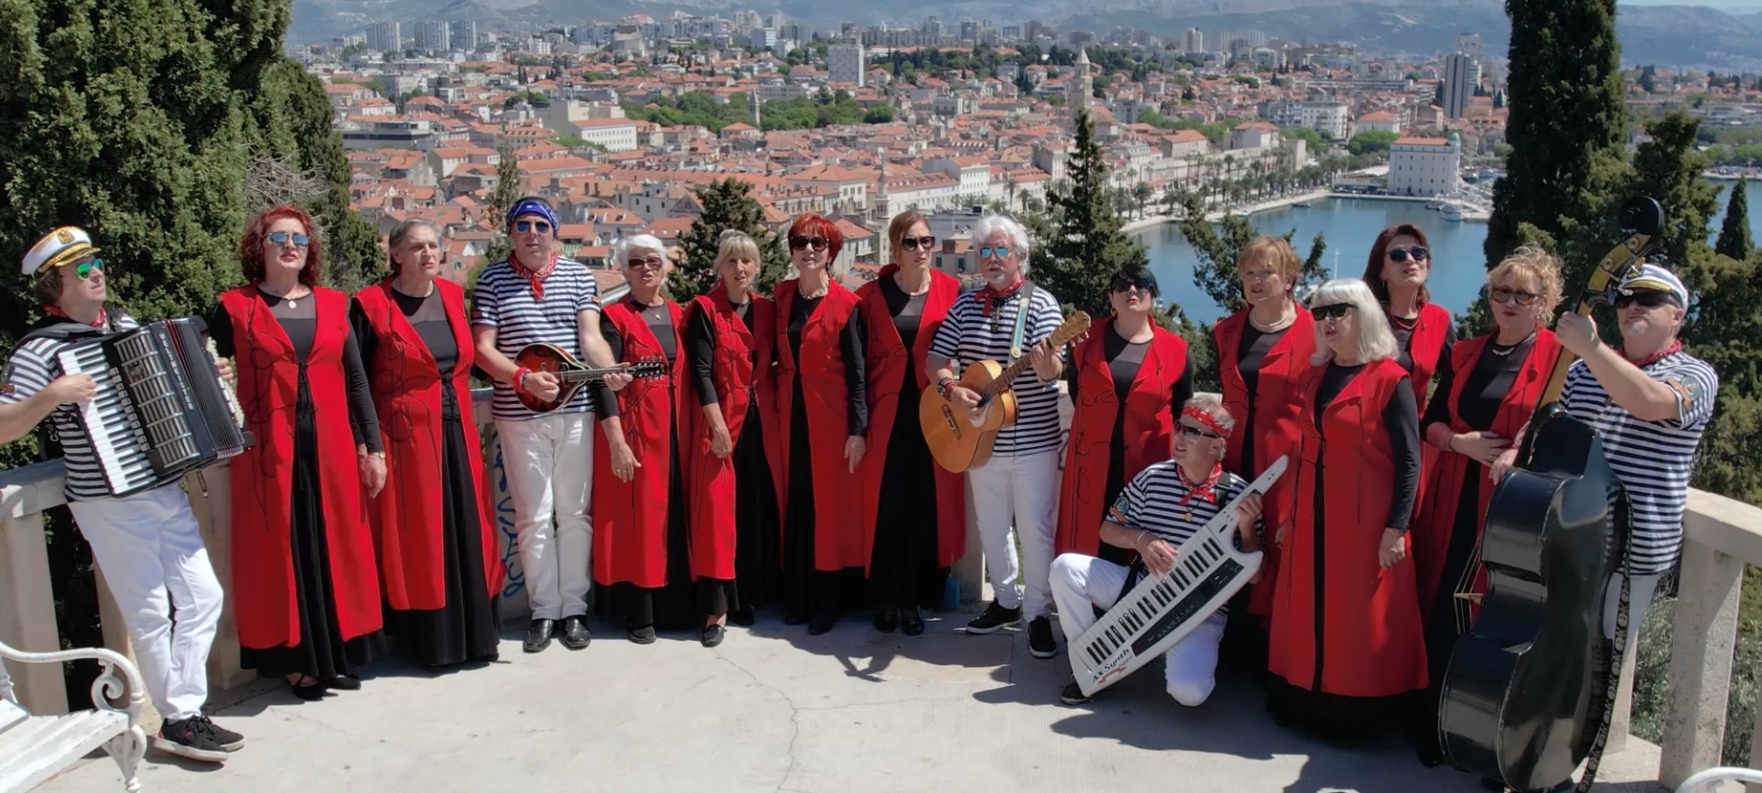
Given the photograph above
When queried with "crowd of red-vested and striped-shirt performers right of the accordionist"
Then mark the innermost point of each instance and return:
(780, 461)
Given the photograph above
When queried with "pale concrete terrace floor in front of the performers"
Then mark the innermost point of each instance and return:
(776, 709)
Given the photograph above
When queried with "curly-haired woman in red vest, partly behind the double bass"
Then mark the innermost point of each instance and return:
(1486, 392)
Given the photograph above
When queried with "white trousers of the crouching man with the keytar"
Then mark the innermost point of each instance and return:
(1190, 669)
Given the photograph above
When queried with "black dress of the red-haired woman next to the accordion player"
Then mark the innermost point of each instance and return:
(322, 653)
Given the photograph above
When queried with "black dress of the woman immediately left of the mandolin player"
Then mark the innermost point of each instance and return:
(468, 626)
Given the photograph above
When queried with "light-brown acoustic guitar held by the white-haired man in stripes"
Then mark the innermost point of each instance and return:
(963, 440)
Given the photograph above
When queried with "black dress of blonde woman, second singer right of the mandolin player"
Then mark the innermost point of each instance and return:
(759, 545)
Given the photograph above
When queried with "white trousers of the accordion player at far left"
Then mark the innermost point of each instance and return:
(151, 552)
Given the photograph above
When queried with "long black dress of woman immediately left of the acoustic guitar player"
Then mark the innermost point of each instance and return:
(905, 567)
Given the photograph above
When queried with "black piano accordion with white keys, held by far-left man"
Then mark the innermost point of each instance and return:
(159, 410)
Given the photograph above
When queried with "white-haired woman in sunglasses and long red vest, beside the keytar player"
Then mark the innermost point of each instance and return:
(1345, 644)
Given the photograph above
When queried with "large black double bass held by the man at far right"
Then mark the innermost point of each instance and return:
(1529, 692)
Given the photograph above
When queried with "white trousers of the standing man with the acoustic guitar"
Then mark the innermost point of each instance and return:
(1025, 489)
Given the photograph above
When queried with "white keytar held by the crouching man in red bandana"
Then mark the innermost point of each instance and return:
(1162, 611)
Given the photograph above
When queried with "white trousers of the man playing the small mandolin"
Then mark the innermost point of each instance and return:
(551, 471)
